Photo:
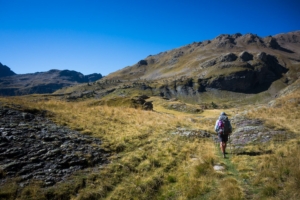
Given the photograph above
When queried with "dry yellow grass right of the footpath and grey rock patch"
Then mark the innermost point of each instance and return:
(275, 176)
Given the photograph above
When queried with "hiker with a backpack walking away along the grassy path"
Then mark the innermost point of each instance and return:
(223, 128)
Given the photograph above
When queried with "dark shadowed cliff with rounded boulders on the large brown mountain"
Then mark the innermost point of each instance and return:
(255, 73)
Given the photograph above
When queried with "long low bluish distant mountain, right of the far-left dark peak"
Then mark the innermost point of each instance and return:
(42, 82)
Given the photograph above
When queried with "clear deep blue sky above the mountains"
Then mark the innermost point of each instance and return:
(102, 36)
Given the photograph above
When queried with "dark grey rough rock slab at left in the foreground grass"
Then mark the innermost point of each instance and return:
(32, 147)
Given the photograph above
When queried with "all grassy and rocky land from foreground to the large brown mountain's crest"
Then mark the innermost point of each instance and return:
(97, 140)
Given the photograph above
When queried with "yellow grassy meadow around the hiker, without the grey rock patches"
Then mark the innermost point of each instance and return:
(149, 162)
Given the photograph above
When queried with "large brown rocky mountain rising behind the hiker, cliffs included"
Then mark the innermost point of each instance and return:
(238, 63)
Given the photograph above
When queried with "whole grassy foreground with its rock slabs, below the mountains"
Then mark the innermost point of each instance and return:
(165, 154)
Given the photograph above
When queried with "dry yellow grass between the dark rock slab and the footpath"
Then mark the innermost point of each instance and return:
(147, 162)
